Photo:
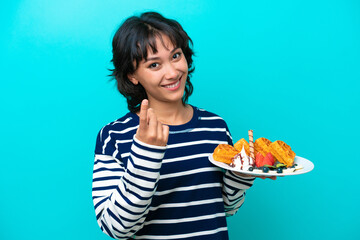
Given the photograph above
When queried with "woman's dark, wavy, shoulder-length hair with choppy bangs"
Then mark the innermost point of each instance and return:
(131, 43)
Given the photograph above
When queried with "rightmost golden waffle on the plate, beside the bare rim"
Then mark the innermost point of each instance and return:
(282, 152)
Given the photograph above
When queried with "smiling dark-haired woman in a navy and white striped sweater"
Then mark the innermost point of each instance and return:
(152, 178)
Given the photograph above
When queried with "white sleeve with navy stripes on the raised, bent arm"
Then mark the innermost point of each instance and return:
(122, 196)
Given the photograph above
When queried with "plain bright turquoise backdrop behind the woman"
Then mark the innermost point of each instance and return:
(289, 70)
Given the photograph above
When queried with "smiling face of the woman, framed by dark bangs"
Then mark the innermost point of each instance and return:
(163, 74)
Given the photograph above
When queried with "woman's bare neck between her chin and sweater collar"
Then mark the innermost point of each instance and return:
(172, 113)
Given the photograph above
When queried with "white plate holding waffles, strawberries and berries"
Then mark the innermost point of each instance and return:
(305, 163)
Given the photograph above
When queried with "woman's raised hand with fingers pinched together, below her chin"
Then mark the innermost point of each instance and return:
(150, 130)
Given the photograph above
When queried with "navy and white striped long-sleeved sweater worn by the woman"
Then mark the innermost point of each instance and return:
(143, 191)
